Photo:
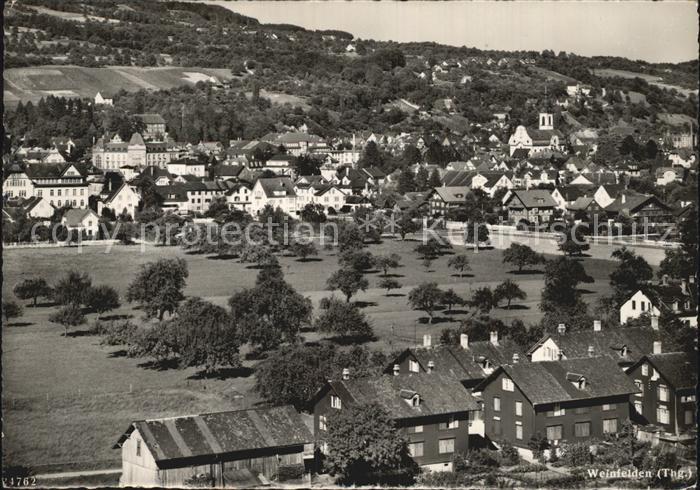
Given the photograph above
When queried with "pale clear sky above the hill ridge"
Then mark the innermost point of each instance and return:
(664, 31)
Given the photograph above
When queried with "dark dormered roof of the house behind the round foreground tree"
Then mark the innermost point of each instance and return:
(439, 394)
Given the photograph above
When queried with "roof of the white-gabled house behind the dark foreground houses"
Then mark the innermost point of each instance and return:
(606, 342)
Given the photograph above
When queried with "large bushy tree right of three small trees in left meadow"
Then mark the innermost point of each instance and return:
(158, 286)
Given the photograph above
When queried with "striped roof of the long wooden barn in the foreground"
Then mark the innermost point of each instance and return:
(211, 434)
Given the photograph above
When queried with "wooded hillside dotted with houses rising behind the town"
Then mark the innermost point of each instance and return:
(333, 82)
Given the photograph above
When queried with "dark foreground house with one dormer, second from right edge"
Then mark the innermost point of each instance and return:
(565, 401)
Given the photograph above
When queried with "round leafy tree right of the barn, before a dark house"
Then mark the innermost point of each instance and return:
(364, 446)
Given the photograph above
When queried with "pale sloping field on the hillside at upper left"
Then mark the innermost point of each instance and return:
(75, 81)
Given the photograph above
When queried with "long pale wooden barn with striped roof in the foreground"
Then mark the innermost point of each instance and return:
(227, 448)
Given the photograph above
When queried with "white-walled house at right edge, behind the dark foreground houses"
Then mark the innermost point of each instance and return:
(676, 298)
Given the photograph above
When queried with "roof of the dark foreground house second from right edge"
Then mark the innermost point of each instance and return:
(551, 381)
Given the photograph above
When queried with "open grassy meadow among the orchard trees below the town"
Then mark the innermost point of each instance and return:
(58, 389)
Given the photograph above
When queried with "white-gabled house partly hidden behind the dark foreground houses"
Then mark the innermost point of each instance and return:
(623, 345)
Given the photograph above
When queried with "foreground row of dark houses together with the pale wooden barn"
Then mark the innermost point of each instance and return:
(444, 399)
